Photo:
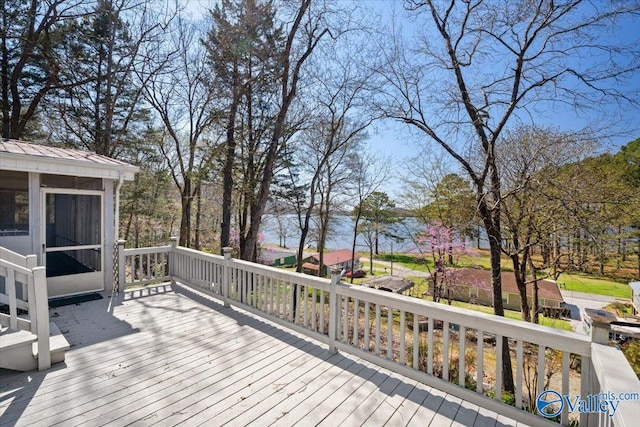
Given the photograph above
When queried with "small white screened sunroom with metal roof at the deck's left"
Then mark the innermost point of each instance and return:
(62, 205)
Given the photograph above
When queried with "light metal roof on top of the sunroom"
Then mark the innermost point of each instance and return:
(31, 157)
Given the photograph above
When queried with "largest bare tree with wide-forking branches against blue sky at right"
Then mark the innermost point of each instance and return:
(480, 66)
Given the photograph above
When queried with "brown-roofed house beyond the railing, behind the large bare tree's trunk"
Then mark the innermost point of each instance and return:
(471, 285)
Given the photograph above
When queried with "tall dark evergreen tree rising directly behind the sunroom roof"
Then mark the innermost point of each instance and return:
(99, 100)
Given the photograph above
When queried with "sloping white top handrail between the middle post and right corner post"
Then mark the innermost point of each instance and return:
(530, 332)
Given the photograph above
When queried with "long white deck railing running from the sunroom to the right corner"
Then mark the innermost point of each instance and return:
(417, 338)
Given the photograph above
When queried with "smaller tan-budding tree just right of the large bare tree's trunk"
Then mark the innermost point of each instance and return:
(529, 160)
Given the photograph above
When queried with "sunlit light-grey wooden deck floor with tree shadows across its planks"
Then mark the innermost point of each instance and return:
(166, 356)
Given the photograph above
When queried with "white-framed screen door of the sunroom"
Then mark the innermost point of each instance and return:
(72, 231)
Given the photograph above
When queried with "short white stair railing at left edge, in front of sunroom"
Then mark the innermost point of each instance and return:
(25, 289)
